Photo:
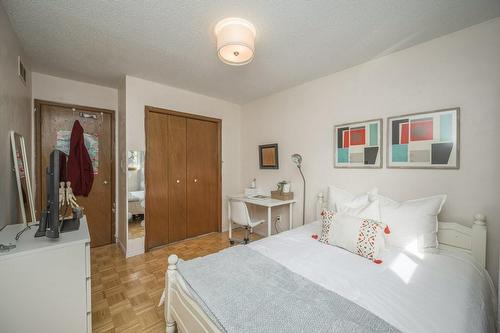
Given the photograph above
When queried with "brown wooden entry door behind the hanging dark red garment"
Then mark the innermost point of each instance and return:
(56, 120)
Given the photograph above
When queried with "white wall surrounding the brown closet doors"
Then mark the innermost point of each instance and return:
(140, 93)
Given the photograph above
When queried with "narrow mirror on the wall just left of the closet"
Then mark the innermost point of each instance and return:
(136, 194)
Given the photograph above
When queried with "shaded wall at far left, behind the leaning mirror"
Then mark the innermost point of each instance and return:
(15, 115)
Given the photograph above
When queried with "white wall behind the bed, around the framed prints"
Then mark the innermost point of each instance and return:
(461, 69)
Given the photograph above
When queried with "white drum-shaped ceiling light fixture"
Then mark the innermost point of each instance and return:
(235, 41)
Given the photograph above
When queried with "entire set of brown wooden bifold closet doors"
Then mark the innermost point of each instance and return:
(182, 176)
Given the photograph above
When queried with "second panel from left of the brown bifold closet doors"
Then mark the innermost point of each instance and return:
(177, 178)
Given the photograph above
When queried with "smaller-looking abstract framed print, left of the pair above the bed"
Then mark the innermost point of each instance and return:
(358, 145)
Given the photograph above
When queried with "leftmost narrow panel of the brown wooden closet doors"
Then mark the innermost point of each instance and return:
(157, 184)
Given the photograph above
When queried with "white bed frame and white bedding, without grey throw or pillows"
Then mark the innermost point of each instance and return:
(445, 291)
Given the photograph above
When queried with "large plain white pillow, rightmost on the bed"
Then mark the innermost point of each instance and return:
(412, 222)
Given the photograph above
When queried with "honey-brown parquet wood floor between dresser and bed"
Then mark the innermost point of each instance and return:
(126, 292)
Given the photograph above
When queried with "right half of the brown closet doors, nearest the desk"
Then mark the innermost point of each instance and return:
(202, 177)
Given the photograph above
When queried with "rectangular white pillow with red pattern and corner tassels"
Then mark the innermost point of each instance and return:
(360, 236)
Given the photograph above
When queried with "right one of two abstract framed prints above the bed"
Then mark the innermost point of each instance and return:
(427, 140)
